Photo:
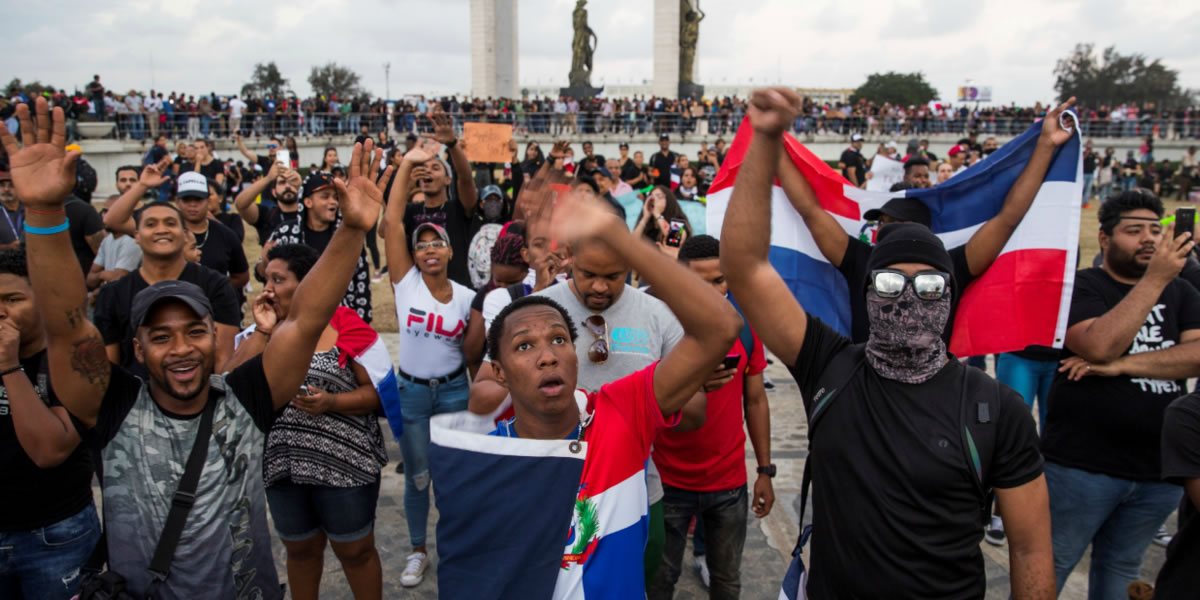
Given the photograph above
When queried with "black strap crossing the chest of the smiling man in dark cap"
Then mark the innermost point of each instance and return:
(183, 501)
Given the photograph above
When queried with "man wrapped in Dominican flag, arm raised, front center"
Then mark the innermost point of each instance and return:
(579, 471)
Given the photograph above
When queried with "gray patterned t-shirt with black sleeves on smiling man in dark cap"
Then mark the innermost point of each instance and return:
(226, 547)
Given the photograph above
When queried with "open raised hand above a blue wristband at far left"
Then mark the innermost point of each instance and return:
(43, 171)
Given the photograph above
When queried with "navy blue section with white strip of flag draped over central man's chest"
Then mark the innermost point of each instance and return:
(508, 544)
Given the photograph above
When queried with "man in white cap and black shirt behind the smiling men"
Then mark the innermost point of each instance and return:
(220, 248)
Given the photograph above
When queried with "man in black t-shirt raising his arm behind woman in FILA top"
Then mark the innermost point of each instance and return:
(453, 214)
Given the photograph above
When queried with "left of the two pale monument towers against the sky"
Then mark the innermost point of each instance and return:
(494, 49)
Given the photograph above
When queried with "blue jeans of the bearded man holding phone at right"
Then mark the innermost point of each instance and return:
(1117, 517)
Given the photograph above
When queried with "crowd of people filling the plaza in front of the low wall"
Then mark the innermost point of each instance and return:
(532, 301)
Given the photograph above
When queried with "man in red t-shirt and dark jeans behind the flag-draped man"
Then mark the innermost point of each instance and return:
(705, 471)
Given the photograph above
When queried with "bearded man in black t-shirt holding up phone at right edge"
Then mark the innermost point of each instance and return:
(1137, 323)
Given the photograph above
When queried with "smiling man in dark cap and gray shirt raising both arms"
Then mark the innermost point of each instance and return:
(145, 431)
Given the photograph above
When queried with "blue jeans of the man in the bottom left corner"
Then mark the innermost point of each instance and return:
(45, 563)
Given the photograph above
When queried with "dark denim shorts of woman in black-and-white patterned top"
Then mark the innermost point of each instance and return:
(301, 512)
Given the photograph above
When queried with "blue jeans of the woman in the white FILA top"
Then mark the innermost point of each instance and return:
(419, 404)
